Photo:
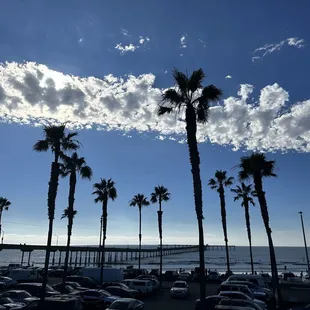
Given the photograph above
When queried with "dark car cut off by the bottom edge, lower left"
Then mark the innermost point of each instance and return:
(61, 302)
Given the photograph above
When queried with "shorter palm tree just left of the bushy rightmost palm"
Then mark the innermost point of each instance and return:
(246, 192)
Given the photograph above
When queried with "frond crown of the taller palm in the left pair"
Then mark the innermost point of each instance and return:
(57, 140)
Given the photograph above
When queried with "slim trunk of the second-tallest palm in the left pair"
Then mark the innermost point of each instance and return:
(70, 220)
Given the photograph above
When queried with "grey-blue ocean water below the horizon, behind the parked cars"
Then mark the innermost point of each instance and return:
(293, 258)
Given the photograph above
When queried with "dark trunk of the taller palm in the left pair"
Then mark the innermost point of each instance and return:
(52, 193)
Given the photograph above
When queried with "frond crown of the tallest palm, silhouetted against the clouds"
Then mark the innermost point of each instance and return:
(190, 93)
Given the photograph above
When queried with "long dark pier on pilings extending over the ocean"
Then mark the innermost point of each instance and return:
(89, 255)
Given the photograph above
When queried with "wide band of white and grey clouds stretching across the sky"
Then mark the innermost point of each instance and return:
(33, 94)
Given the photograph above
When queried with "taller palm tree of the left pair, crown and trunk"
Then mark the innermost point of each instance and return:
(58, 141)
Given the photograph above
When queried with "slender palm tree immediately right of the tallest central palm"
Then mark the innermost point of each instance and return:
(219, 182)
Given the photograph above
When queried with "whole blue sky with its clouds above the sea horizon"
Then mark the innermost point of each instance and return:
(101, 67)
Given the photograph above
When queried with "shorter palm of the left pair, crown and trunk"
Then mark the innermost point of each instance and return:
(71, 166)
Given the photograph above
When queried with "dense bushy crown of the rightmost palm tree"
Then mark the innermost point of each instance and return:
(256, 165)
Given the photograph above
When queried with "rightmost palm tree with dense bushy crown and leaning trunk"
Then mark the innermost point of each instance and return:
(257, 167)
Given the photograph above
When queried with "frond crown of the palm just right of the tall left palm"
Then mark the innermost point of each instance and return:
(75, 164)
